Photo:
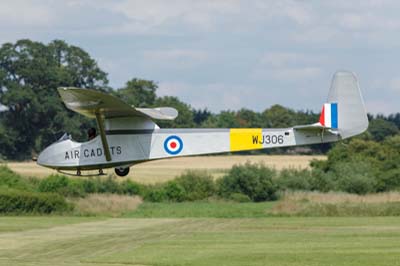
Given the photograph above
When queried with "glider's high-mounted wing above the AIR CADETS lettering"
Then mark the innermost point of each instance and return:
(89, 102)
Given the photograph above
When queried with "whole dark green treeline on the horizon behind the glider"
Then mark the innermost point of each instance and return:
(30, 73)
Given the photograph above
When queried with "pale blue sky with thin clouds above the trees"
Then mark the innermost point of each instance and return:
(233, 54)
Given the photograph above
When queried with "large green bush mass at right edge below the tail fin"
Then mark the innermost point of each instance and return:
(361, 166)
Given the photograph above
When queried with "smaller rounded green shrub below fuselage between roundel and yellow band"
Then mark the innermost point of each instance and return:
(198, 185)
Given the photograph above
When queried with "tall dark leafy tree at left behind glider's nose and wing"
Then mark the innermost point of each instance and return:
(30, 73)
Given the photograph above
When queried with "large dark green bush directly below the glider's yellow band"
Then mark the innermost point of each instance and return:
(254, 180)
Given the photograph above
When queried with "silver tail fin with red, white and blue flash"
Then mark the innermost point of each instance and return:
(345, 110)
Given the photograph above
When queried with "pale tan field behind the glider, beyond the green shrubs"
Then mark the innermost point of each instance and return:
(162, 170)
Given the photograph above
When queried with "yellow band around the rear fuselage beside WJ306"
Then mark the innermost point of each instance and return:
(242, 139)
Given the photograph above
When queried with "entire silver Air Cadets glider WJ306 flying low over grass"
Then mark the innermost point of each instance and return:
(129, 135)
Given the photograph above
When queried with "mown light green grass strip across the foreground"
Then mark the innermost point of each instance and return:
(199, 241)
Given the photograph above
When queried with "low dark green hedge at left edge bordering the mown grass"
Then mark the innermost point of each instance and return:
(18, 202)
